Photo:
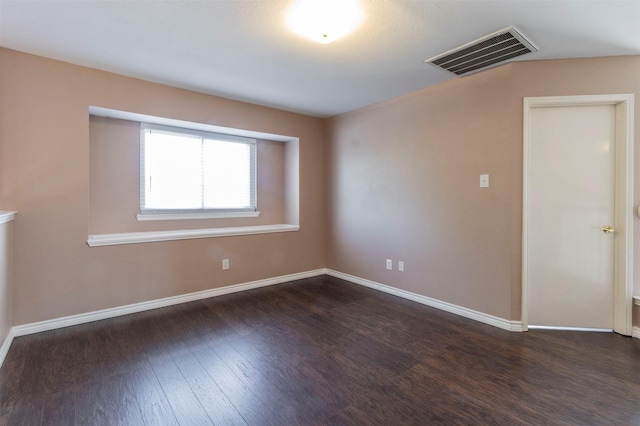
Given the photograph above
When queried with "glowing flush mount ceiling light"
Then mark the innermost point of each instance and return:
(324, 20)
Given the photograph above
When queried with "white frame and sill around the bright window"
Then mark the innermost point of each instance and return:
(197, 213)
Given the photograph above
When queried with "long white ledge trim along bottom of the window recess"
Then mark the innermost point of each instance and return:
(98, 240)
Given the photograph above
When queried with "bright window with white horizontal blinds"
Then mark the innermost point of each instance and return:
(187, 171)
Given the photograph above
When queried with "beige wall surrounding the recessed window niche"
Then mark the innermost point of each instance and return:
(46, 178)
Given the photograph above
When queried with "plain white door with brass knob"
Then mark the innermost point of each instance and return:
(571, 180)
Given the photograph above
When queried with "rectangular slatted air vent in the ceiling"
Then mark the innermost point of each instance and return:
(488, 51)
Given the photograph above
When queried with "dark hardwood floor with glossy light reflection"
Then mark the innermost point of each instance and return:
(316, 351)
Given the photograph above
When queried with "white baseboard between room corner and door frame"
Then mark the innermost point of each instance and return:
(434, 303)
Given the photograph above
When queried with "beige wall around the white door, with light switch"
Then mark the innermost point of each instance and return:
(403, 181)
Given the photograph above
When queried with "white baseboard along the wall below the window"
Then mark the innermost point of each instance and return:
(37, 327)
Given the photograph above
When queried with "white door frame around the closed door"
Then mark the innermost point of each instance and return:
(623, 205)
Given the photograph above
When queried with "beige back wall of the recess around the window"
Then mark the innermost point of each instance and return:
(114, 182)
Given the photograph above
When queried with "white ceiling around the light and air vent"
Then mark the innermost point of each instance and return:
(243, 50)
